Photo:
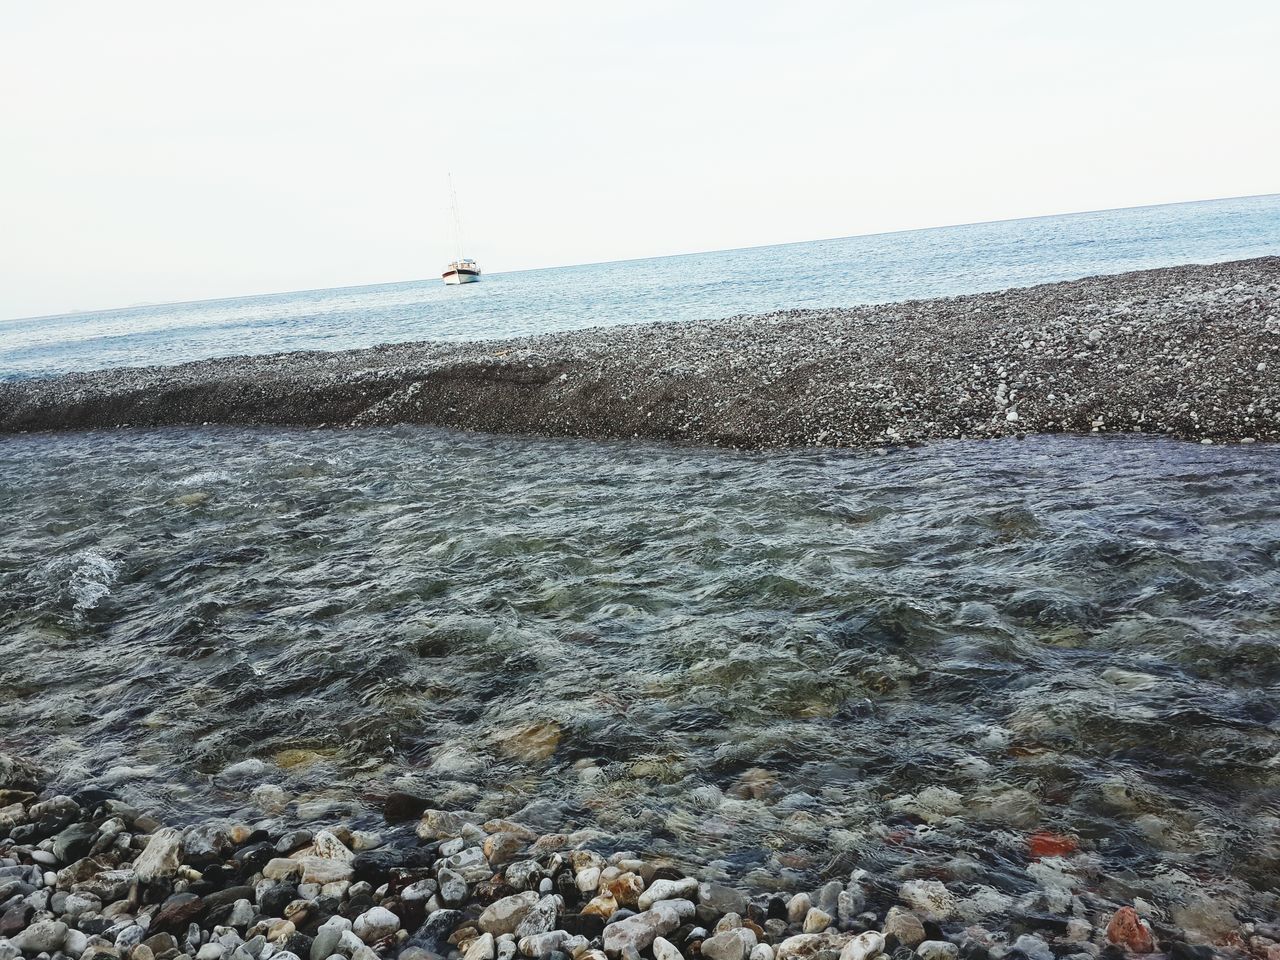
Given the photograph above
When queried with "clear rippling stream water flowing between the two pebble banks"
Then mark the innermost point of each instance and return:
(771, 666)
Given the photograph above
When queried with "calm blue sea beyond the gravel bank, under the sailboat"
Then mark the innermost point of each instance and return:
(883, 268)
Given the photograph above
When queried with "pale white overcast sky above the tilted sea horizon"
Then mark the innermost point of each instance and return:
(159, 150)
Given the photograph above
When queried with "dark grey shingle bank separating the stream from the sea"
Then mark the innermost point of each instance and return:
(1190, 351)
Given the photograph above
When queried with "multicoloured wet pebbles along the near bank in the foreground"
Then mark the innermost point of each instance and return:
(86, 875)
